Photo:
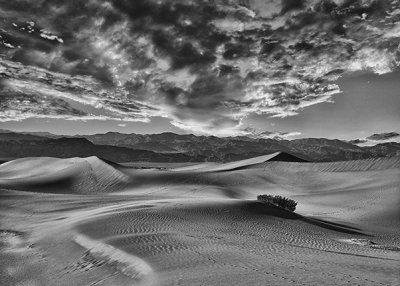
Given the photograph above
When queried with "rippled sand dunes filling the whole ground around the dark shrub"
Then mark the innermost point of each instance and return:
(85, 222)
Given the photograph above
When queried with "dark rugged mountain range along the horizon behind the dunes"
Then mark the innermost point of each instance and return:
(171, 147)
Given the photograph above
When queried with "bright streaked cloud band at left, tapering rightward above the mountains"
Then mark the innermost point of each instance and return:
(34, 92)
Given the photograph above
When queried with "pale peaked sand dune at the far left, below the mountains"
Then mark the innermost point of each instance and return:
(76, 175)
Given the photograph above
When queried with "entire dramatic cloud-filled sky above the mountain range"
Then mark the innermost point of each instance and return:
(286, 68)
